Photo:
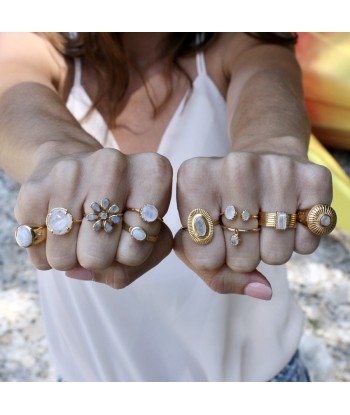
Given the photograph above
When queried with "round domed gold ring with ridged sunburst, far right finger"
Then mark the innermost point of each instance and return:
(319, 219)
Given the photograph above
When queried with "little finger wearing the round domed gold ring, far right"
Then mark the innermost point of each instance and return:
(316, 188)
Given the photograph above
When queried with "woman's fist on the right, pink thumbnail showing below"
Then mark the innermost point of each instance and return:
(254, 182)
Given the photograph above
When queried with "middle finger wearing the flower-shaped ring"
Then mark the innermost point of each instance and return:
(98, 236)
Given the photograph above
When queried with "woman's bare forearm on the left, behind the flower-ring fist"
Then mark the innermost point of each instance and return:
(35, 126)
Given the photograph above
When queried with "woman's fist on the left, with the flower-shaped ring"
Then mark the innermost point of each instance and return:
(74, 182)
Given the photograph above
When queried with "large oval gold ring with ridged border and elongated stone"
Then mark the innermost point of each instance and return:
(200, 226)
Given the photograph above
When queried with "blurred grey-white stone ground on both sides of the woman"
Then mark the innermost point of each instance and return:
(321, 283)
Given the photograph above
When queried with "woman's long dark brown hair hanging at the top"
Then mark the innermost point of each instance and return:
(104, 53)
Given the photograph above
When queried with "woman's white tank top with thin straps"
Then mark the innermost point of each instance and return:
(168, 325)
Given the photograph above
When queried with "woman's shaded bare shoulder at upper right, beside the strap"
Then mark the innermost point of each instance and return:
(236, 54)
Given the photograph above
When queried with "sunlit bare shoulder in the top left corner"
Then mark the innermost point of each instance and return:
(29, 57)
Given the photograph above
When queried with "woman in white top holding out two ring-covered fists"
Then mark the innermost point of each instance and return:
(168, 123)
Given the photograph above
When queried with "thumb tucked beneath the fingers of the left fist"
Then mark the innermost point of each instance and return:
(119, 275)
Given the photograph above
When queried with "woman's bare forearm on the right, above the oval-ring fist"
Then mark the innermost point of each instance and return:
(266, 108)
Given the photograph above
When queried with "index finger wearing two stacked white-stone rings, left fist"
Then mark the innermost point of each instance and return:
(150, 179)
